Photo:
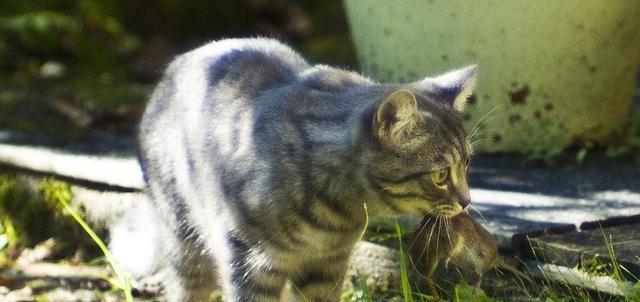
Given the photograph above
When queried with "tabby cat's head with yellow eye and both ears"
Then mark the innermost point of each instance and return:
(423, 155)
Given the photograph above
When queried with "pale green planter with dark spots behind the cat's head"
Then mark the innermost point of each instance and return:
(556, 70)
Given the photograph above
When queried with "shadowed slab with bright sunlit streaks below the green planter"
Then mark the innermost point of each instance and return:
(517, 198)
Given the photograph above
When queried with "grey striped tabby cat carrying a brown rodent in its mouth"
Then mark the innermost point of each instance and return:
(259, 166)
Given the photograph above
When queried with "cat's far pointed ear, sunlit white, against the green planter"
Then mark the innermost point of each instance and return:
(454, 87)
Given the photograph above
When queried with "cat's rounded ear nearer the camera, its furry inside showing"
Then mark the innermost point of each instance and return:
(396, 119)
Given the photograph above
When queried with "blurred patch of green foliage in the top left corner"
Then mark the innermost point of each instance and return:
(84, 31)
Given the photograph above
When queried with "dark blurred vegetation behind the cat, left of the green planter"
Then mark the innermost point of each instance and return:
(72, 66)
